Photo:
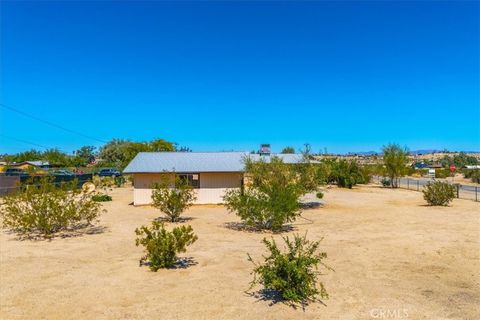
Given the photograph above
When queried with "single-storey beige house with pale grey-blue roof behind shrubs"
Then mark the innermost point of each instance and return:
(210, 173)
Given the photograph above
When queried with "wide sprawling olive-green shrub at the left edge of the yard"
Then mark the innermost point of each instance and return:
(45, 208)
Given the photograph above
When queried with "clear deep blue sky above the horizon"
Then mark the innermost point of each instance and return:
(346, 76)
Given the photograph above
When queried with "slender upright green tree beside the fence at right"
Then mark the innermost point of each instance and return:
(395, 160)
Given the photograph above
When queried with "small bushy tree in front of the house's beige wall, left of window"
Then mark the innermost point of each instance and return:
(173, 200)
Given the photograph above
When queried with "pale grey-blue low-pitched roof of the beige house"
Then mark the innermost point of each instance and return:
(154, 162)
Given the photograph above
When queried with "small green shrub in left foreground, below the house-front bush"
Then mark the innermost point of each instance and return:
(162, 246)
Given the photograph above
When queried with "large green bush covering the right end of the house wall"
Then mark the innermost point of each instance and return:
(271, 197)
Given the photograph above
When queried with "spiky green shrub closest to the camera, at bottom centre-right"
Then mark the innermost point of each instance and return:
(293, 273)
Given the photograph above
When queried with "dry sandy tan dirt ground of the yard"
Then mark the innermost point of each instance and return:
(393, 257)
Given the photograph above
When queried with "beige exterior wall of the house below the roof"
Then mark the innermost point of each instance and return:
(212, 186)
